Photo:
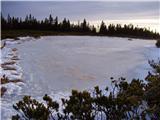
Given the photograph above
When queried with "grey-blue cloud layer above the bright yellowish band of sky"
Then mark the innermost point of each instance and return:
(80, 10)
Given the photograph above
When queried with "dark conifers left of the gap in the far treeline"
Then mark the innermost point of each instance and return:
(50, 23)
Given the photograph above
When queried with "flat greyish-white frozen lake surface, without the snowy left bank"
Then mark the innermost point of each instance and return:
(71, 62)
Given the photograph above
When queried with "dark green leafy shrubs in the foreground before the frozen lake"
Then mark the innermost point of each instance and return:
(137, 100)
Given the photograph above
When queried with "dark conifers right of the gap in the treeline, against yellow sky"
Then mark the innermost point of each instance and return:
(127, 30)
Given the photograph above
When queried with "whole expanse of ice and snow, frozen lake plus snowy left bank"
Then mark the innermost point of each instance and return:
(57, 64)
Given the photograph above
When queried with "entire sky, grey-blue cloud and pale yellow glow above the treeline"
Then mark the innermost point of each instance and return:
(143, 14)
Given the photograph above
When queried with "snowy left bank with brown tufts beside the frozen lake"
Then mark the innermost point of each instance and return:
(10, 67)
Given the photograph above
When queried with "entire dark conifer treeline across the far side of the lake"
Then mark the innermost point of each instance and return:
(53, 24)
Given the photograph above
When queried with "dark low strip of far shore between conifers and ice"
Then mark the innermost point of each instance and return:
(14, 34)
